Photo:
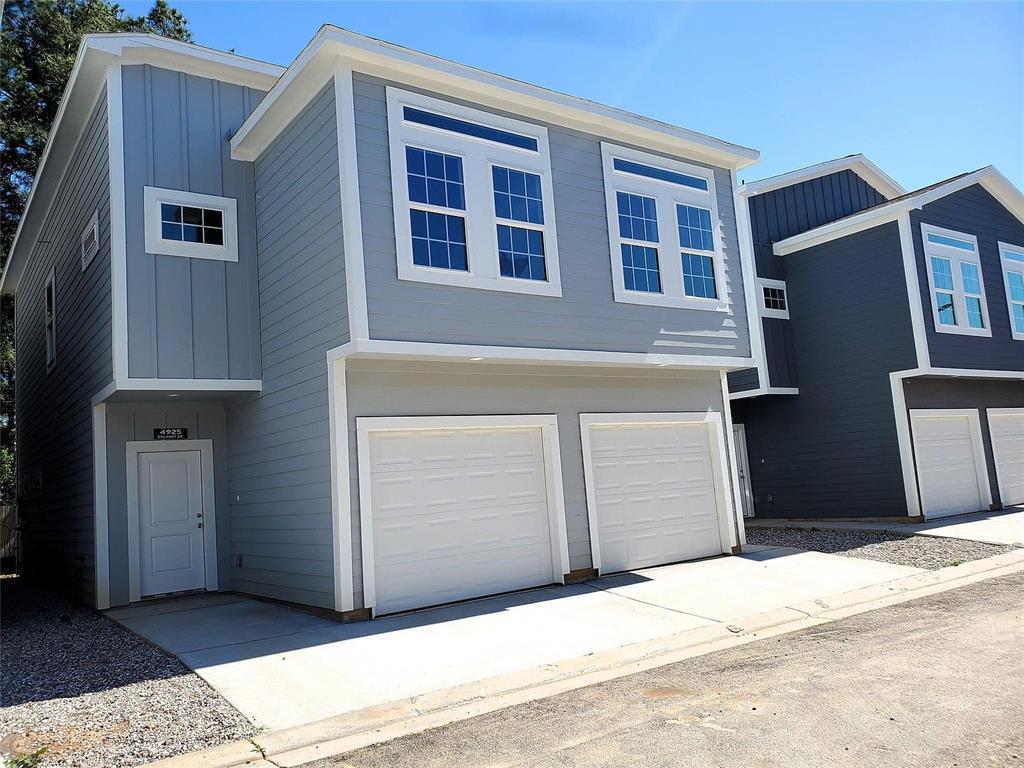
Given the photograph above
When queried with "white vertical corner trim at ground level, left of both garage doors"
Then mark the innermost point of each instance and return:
(342, 493)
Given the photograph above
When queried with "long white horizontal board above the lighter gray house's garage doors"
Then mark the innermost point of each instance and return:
(370, 349)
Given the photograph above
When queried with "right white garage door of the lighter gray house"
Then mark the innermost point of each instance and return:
(654, 489)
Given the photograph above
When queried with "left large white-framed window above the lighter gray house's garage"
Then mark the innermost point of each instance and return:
(474, 205)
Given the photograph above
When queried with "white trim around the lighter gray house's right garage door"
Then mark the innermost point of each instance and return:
(729, 528)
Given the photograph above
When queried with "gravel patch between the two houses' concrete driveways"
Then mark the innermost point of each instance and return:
(901, 549)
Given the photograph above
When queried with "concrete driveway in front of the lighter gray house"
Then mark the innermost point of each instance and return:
(282, 668)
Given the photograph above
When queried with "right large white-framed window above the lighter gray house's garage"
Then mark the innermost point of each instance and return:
(663, 231)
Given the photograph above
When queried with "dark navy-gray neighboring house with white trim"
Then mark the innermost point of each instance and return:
(890, 356)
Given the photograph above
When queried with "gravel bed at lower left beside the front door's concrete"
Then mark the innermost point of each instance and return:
(95, 694)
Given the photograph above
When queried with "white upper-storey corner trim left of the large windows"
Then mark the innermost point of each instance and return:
(349, 176)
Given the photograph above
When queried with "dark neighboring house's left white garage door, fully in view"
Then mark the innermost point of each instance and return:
(951, 461)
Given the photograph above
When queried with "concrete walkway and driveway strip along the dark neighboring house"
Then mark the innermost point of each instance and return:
(1005, 527)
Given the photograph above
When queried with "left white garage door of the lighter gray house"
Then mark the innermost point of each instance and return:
(456, 515)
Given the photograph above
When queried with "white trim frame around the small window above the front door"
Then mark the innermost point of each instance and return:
(156, 243)
